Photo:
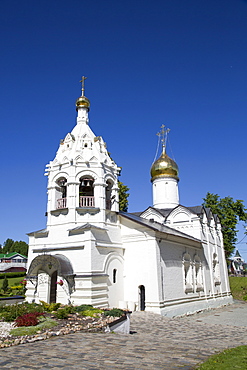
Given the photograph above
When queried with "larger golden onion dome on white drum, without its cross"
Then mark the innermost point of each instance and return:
(164, 167)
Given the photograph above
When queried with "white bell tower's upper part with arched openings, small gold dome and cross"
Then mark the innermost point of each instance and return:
(82, 178)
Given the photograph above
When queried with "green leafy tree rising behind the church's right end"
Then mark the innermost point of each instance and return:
(230, 212)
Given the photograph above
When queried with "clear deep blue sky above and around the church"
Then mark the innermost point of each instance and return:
(173, 62)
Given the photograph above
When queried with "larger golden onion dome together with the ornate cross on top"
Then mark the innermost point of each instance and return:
(164, 166)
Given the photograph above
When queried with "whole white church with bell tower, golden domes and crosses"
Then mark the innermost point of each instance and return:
(168, 259)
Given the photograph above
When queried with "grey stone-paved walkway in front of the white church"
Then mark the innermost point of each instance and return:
(155, 343)
